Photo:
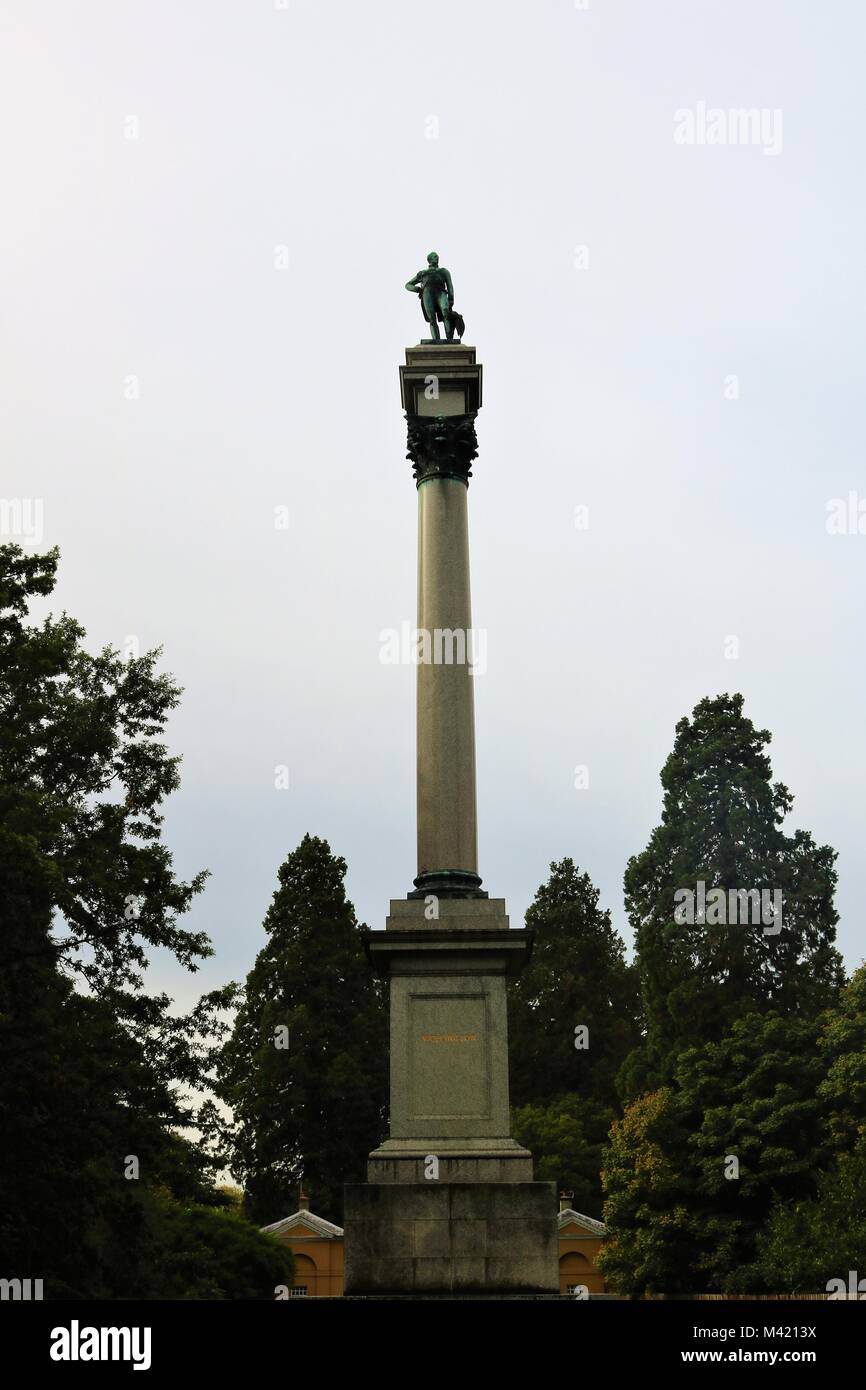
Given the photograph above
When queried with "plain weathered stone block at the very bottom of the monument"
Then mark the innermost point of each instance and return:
(451, 1239)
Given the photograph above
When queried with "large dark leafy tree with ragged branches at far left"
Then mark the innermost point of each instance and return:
(97, 1072)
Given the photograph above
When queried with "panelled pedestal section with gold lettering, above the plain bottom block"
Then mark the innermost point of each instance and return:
(450, 1063)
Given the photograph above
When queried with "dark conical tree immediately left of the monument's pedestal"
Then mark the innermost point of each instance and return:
(305, 1070)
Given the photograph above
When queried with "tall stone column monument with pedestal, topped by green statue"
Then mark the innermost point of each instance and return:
(450, 1206)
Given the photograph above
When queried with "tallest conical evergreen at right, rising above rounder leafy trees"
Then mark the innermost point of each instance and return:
(722, 828)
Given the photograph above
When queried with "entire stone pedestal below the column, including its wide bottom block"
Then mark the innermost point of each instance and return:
(450, 1206)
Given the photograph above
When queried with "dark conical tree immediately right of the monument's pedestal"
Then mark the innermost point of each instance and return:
(573, 1011)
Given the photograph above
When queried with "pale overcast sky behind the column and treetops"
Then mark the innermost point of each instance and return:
(672, 338)
